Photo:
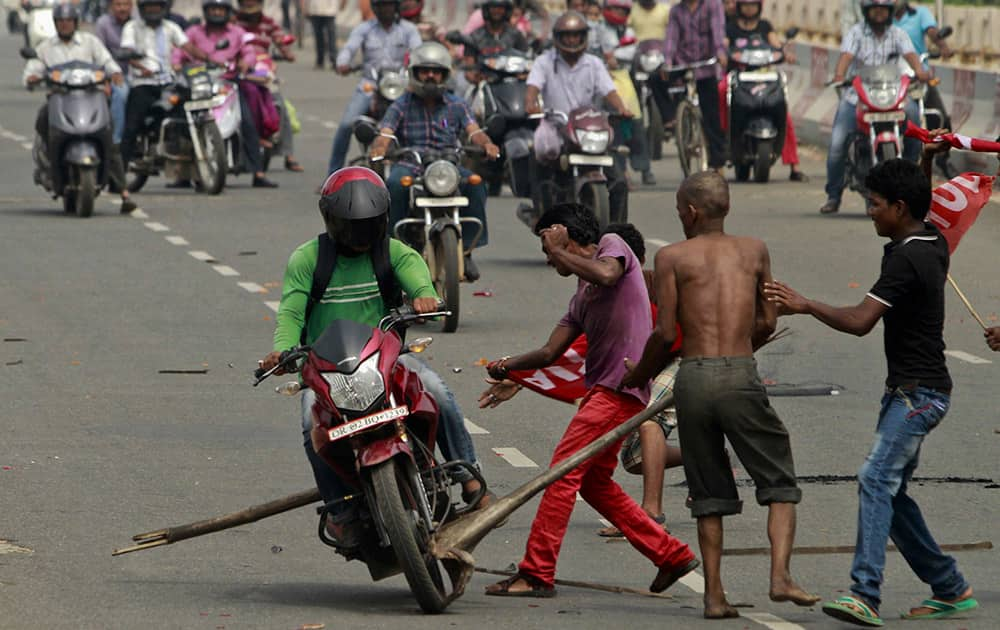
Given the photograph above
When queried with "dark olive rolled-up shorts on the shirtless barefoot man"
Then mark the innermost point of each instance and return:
(722, 398)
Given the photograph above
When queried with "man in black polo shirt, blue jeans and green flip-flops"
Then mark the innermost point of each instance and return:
(909, 298)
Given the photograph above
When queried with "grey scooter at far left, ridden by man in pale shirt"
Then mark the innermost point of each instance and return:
(75, 166)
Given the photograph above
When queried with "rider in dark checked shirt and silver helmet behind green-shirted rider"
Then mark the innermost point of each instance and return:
(430, 117)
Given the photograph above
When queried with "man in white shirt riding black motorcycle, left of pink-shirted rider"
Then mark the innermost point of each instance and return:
(154, 37)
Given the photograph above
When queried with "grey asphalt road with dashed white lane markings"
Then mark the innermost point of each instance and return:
(98, 444)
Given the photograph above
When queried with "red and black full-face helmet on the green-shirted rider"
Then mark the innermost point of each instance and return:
(354, 203)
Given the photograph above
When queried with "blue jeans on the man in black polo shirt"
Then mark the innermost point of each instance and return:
(885, 509)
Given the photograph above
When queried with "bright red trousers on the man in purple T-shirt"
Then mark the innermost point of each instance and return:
(601, 411)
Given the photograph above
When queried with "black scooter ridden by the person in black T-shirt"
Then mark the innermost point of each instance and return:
(757, 98)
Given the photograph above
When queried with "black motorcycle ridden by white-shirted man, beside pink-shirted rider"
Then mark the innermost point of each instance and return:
(191, 132)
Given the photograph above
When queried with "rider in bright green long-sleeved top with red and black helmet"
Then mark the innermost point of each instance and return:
(354, 204)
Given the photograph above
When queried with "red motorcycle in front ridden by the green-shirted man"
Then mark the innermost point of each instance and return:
(375, 426)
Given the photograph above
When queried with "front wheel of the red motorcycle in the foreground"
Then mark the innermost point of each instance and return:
(398, 506)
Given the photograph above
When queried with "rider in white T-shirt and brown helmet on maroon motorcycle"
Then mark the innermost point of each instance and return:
(566, 78)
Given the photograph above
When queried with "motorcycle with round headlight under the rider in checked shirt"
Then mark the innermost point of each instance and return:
(434, 225)
